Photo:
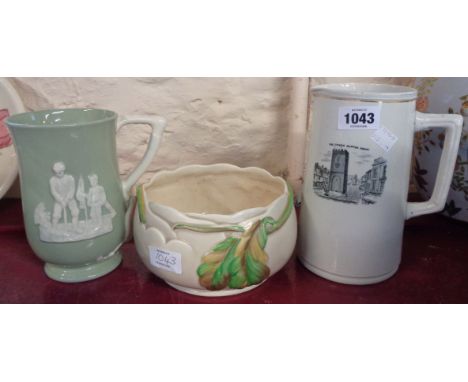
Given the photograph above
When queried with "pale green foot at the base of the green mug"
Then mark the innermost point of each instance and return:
(84, 273)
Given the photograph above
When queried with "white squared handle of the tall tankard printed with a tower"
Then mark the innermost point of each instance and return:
(452, 123)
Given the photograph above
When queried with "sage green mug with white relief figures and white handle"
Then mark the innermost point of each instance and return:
(75, 206)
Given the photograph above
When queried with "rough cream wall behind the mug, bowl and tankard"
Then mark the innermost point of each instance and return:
(237, 120)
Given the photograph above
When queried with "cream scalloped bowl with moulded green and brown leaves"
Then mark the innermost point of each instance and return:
(191, 221)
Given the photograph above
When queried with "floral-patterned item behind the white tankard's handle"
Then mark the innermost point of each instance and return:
(442, 95)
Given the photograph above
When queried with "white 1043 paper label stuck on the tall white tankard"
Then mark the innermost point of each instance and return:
(359, 118)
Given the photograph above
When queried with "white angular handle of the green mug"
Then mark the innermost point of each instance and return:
(158, 125)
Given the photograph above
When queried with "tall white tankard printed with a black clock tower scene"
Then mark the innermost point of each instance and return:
(354, 200)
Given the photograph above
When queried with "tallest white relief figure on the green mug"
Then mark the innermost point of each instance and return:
(62, 188)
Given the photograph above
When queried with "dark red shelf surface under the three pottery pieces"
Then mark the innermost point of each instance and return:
(434, 269)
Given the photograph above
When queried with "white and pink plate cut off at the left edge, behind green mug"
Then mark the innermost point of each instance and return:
(10, 103)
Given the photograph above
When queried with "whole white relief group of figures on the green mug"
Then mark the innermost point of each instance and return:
(88, 219)
